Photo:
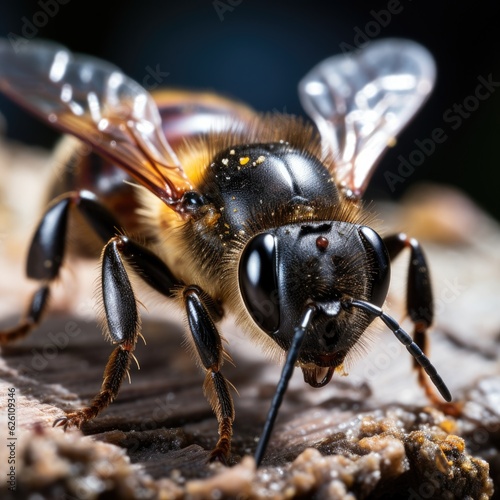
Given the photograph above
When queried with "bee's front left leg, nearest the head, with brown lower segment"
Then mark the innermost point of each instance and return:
(209, 348)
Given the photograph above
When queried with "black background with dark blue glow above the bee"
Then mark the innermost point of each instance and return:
(257, 51)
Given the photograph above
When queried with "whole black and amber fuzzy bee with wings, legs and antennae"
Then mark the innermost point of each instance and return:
(229, 211)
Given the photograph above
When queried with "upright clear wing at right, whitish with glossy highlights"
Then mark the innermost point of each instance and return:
(361, 101)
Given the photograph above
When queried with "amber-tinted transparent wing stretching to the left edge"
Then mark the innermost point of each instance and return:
(97, 103)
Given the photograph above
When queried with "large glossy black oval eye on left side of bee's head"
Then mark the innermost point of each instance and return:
(259, 282)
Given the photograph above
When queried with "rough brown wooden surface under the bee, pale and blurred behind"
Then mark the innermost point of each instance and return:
(369, 435)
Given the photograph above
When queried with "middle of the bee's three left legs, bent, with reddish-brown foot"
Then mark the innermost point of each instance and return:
(122, 316)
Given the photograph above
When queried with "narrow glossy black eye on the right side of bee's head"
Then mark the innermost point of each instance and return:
(379, 263)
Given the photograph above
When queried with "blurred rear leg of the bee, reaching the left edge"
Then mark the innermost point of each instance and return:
(46, 253)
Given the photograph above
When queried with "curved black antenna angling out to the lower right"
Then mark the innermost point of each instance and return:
(405, 339)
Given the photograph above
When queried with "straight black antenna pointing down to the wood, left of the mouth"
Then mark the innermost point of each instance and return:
(286, 373)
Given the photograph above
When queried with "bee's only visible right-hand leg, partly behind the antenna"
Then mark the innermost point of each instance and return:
(419, 301)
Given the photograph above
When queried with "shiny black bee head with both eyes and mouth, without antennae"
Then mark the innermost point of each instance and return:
(323, 264)
